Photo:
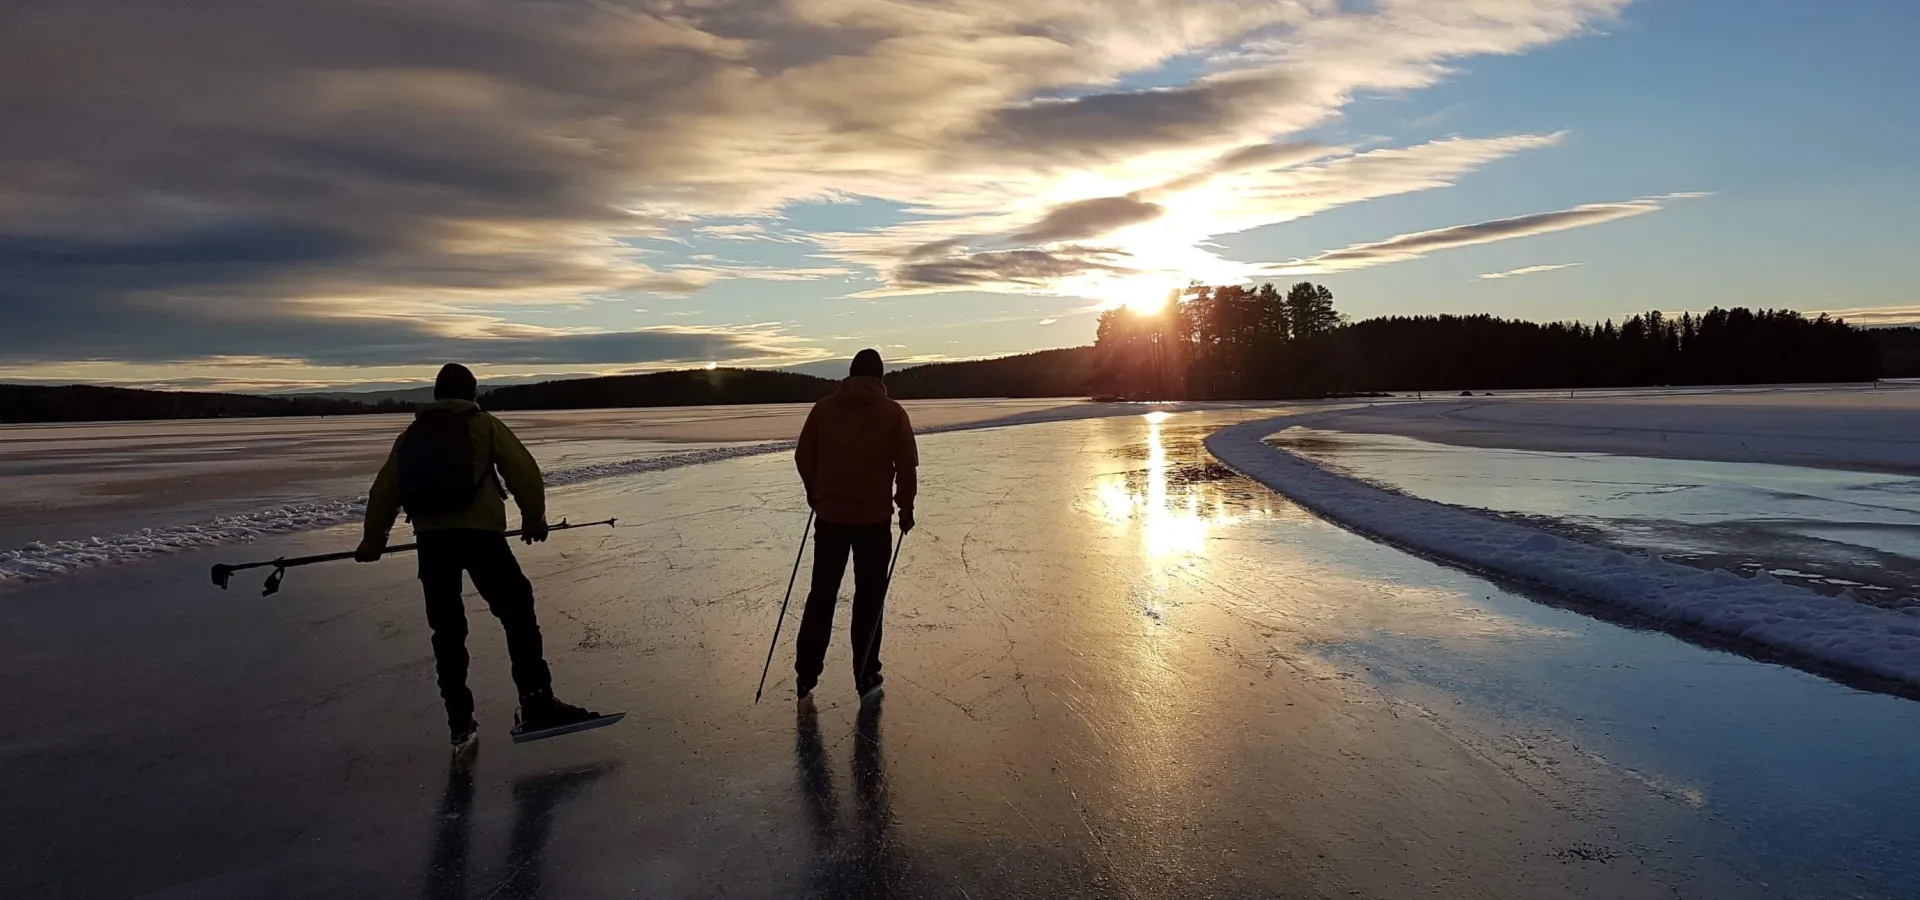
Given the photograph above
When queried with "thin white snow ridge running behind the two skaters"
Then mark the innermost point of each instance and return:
(45, 559)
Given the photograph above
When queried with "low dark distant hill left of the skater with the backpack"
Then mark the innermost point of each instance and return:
(89, 404)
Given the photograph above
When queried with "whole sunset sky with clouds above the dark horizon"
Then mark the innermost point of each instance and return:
(348, 193)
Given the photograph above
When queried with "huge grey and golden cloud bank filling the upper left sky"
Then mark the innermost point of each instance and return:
(310, 172)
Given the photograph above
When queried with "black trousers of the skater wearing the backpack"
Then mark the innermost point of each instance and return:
(489, 559)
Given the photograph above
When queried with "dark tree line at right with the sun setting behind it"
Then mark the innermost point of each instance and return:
(1259, 343)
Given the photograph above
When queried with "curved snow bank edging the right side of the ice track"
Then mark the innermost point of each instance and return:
(1762, 611)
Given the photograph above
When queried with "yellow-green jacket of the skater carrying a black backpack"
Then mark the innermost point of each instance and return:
(496, 450)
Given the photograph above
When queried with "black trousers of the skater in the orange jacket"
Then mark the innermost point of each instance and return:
(869, 546)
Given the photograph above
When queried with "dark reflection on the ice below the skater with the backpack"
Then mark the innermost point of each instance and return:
(535, 803)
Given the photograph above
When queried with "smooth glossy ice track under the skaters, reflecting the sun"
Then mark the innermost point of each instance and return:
(1115, 671)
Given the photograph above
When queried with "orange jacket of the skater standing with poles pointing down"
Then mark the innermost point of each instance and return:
(857, 456)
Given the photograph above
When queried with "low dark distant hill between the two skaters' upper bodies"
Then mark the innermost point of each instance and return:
(688, 389)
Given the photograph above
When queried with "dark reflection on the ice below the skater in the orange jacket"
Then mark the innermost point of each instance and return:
(853, 861)
